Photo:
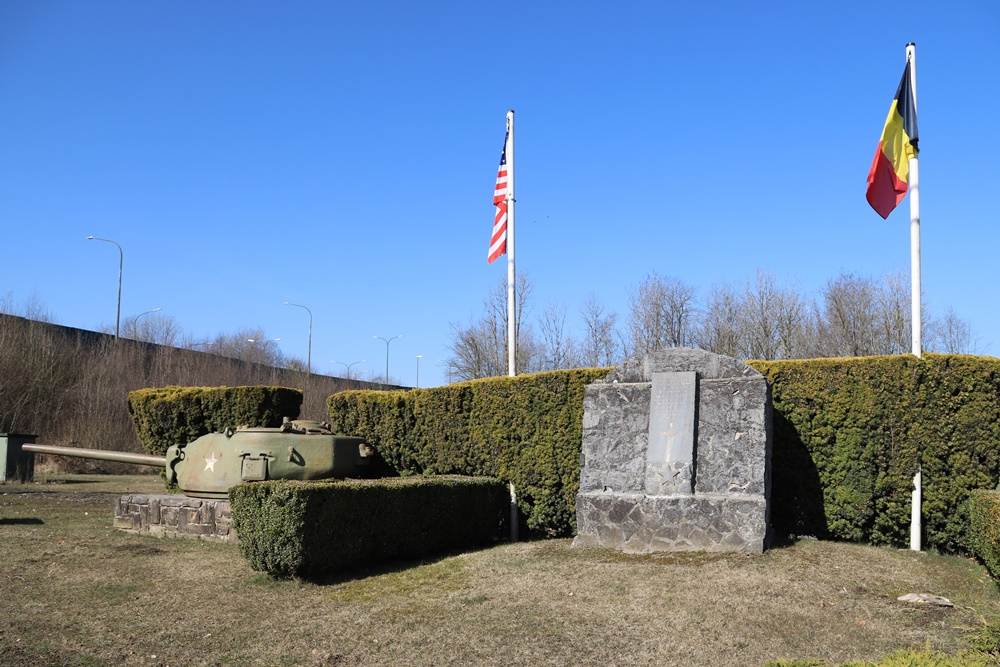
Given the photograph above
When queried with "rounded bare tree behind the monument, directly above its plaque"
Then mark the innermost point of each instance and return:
(662, 312)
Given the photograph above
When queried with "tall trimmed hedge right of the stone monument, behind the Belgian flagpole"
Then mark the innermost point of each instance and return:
(849, 434)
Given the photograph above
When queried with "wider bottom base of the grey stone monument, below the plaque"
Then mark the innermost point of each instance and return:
(640, 524)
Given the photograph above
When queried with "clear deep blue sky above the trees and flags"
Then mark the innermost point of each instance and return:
(343, 155)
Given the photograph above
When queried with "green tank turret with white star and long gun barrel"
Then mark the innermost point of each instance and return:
(207, 467)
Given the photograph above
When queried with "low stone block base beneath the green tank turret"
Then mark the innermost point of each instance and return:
(175, 516)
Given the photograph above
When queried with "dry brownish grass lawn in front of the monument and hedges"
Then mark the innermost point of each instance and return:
(73, 591)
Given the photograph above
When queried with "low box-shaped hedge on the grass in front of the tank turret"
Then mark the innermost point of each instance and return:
(288, 528)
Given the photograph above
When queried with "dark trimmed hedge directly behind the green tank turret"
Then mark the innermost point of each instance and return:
(178, 415)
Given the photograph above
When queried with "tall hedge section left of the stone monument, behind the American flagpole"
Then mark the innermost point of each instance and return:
(526, 430)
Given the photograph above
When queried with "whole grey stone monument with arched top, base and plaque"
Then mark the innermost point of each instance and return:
(676, 456)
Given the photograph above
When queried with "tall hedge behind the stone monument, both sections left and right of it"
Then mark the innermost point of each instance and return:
(848, 436)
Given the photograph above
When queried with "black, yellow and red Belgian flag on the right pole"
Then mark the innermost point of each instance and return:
(889, 175)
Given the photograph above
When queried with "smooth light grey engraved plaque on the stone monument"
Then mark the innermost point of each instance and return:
(671, 418)
